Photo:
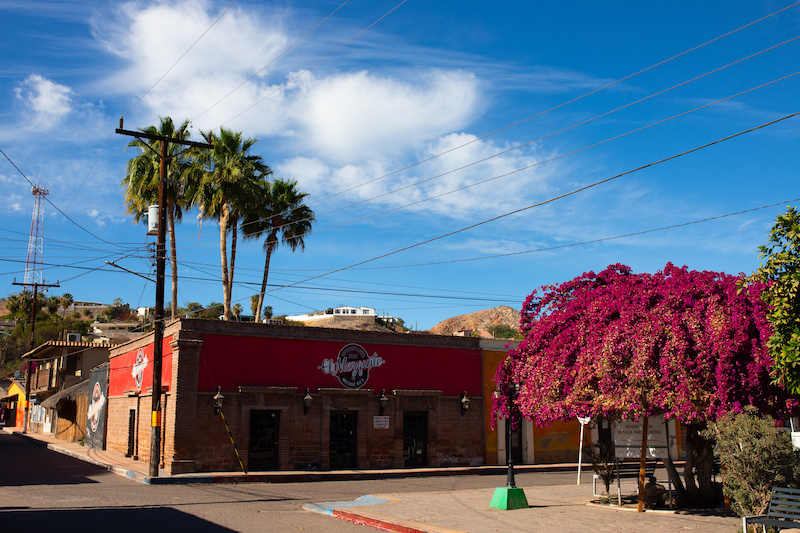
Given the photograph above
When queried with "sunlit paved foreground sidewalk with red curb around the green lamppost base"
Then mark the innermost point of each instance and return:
(562, 508)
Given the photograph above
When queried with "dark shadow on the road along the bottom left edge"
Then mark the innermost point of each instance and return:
(116, 520)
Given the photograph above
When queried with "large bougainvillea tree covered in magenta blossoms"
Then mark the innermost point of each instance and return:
(620, 345)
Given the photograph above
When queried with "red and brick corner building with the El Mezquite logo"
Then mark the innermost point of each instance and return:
(266, 371)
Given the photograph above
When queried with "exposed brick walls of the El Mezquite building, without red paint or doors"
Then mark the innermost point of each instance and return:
(194, 438)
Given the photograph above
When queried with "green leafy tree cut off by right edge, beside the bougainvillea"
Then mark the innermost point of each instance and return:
(781, 269)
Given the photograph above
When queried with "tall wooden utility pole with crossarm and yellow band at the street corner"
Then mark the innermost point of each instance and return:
(158, 326)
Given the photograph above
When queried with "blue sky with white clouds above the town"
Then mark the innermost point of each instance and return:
(429, 83)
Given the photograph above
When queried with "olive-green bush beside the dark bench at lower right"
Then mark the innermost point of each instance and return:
(755, 456)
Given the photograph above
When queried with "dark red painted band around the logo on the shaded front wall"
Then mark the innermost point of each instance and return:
(230, 361)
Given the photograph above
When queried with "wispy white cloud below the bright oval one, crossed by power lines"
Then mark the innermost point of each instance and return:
(509, 191)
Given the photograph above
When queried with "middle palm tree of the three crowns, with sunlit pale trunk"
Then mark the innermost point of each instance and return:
(229, 181)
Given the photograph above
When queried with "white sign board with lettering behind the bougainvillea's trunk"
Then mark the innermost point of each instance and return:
(627, 435)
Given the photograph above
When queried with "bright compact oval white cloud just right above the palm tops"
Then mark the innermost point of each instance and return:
(356, 116)
